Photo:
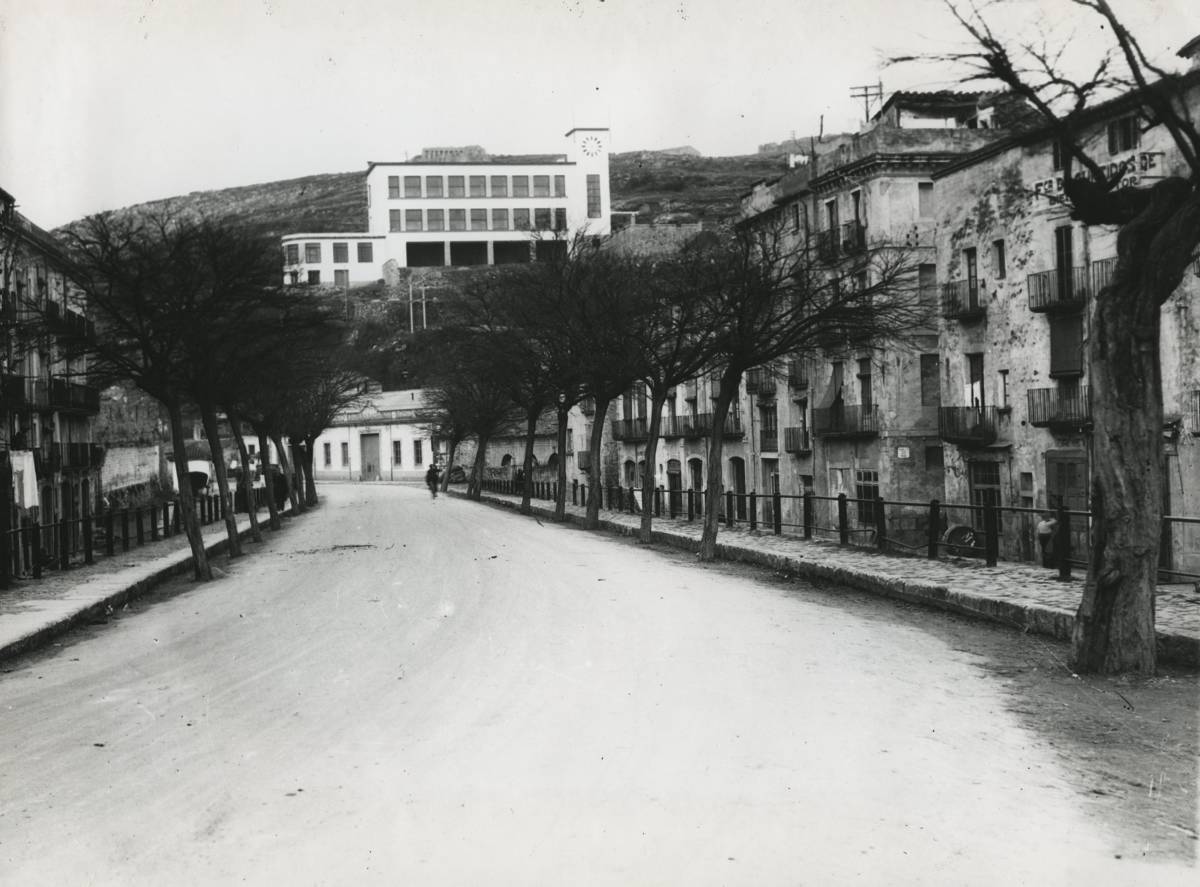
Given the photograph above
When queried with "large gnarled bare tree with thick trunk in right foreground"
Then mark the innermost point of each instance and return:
(1159, 236)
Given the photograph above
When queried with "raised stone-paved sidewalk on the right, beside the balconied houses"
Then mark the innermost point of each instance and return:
(1022, 596)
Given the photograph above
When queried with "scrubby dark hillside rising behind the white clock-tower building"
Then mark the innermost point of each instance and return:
(659, 187)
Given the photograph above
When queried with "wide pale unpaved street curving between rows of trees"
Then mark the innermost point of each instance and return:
(405, 692)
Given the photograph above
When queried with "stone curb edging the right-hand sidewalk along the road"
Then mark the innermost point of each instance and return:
(1031, 619)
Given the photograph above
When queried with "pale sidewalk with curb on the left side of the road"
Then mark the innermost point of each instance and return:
(33, 613)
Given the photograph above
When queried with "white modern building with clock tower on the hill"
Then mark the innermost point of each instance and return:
(463, 208)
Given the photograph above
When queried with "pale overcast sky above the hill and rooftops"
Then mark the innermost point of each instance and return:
(106, 104)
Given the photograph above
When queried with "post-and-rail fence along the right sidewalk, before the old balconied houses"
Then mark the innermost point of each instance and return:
(929, 530)
